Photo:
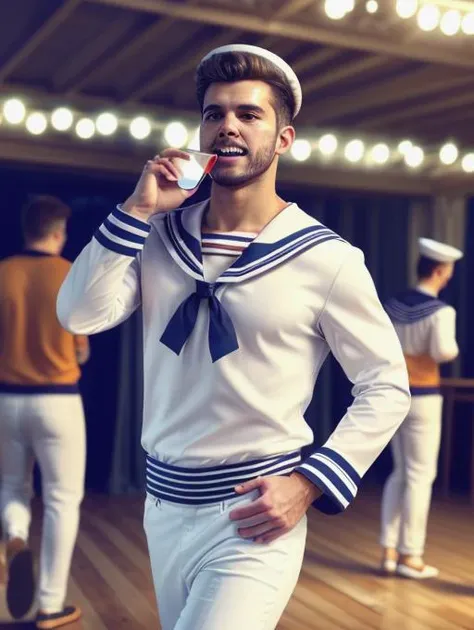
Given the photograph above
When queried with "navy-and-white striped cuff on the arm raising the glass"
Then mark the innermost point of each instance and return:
(122, 233)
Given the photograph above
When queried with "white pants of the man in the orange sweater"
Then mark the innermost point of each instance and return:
(51, 429)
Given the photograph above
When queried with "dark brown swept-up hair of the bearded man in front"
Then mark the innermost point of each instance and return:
(238, 66)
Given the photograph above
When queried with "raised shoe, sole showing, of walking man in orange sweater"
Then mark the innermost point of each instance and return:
(20, 578)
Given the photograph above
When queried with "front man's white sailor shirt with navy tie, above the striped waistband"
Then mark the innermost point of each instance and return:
(212, 400)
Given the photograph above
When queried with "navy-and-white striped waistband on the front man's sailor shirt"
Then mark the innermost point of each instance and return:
(200, 486)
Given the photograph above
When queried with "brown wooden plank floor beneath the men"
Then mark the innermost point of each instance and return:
(339, 587)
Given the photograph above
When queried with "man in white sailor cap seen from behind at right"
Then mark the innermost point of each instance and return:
(426, 327)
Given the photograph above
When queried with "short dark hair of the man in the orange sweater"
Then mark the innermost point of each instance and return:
(40, 216)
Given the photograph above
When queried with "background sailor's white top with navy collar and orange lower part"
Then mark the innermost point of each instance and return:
(426, 327)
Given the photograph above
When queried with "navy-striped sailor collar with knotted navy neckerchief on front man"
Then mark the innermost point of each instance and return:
(278, 242)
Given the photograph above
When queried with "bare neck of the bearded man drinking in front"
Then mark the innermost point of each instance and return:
(246, 209)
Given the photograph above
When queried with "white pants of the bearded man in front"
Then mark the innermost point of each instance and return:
(208, 578)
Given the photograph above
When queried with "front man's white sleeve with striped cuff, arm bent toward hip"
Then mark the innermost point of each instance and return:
(364, 342)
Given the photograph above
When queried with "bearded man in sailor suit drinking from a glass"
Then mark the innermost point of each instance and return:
(243, 297)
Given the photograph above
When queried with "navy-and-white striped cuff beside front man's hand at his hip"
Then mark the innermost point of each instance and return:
(334, 476)
